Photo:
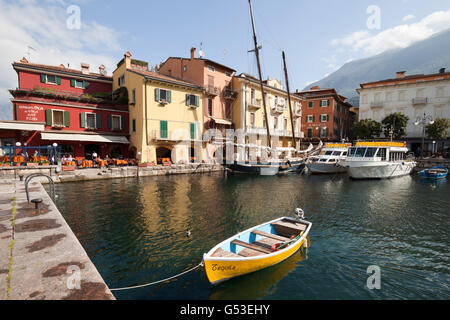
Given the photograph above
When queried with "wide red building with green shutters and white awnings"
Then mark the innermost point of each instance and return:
(76, 108)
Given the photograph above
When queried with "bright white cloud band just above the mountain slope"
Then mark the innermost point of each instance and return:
(400, 36)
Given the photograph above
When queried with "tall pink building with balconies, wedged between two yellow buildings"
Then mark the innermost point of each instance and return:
(215, 78)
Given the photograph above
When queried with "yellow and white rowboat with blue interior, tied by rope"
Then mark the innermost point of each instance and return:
(256, 248)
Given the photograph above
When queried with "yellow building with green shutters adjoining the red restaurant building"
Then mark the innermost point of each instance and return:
(166, 119)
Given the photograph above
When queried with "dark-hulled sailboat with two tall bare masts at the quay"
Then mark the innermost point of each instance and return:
(273, 165)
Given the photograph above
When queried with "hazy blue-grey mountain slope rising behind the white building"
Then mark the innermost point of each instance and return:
(426, 56)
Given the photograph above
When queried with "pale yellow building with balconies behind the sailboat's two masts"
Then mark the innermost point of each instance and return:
(248, 114)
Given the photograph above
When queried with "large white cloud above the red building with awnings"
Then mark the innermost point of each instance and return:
(43, 27)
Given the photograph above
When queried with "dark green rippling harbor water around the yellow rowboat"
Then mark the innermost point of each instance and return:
(134, 231)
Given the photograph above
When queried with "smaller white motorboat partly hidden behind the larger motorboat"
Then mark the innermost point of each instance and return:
(329, 160)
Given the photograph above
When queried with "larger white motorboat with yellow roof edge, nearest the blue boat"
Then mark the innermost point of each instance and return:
(378, 160)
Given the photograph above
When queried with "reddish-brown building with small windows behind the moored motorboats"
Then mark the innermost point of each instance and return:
(325, 115)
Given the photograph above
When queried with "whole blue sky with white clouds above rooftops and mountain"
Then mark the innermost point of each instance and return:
(318, 36)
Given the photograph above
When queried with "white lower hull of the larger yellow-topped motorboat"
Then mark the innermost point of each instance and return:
(384, 170)
